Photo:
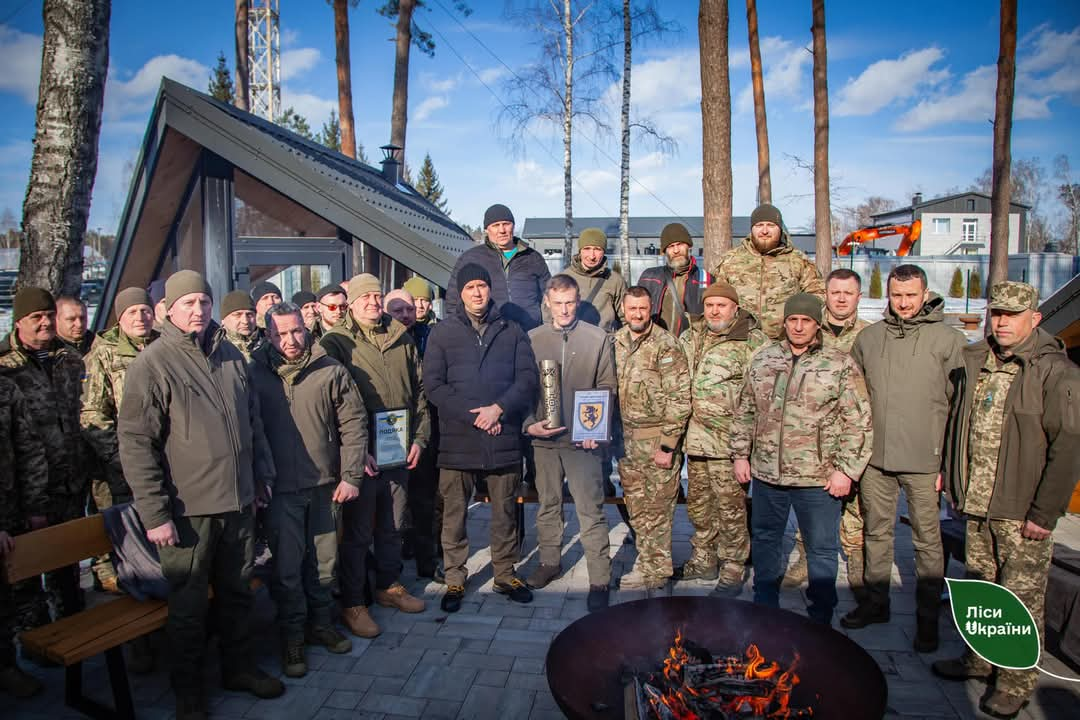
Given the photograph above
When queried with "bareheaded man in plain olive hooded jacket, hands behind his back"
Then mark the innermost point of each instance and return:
(907, 359)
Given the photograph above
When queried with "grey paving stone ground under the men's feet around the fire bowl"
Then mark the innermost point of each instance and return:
(489, 660)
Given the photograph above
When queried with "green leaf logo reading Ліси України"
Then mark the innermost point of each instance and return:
(995, 624)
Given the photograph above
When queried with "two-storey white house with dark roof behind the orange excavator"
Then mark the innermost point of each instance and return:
(955, 225)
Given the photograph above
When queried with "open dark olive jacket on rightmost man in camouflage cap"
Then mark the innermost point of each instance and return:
(1039, 460)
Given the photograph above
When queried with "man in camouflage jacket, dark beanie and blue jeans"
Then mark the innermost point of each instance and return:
(804, 433)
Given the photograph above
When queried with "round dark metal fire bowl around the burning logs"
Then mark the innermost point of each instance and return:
(588, 661)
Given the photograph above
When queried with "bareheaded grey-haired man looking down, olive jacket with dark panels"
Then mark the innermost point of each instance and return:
(317, 427)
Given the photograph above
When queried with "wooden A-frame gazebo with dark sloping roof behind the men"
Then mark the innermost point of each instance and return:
(244, 200)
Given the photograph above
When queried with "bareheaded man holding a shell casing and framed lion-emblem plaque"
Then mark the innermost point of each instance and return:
(586, 393)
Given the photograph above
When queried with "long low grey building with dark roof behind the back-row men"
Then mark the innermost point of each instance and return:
(546, 234)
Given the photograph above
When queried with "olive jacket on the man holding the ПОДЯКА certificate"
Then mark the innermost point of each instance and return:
(388, 376)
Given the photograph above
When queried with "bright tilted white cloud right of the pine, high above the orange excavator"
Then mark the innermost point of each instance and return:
(885, 83)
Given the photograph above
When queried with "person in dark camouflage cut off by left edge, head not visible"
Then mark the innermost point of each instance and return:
(24, 494)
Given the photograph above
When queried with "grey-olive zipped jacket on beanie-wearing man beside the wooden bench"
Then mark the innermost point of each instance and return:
(191, 433)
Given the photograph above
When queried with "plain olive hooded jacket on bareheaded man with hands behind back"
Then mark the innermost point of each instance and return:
(908, 366)
